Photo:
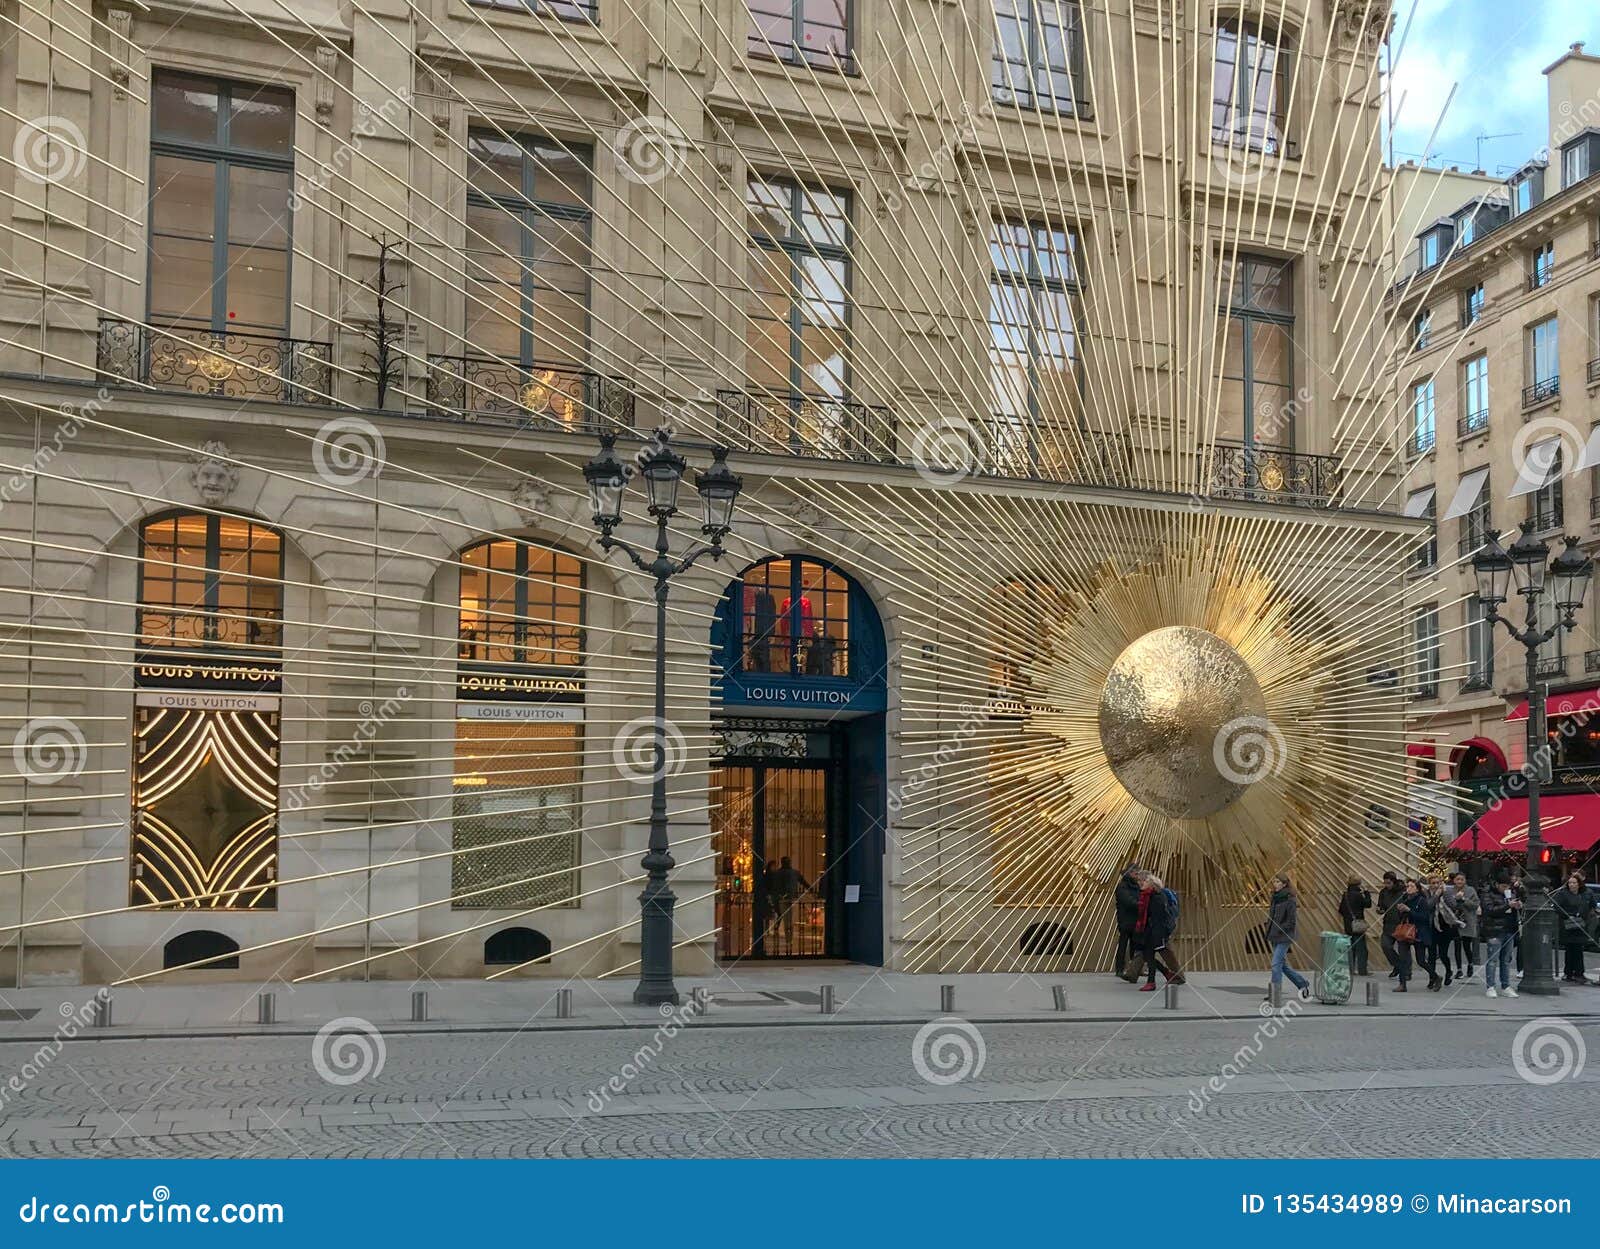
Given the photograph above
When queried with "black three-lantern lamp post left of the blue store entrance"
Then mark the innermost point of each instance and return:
(719, 490)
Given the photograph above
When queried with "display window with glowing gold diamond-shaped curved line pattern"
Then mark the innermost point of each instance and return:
(206, 797)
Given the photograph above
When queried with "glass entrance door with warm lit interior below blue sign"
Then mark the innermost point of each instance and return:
(774, 839)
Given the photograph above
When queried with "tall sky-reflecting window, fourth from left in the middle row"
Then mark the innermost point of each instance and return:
(1033, 338)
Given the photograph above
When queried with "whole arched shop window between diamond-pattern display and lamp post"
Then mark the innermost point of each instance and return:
(519, 727)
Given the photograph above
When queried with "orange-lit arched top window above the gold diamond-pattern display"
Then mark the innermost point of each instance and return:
(210, 581)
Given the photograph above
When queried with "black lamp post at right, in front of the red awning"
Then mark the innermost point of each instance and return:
(1529, 562)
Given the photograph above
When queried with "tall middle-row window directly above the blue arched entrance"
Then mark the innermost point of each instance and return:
(798, 337)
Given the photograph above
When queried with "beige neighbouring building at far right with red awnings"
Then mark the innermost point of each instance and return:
(1497, 317)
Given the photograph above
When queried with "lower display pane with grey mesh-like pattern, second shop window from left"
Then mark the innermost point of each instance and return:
(518, 816)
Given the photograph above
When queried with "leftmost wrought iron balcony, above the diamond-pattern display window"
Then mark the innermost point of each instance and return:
(210, 362)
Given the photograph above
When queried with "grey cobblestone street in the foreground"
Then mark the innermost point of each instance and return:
(1324, 1087)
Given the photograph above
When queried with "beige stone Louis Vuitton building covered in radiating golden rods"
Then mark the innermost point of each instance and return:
(311, 314)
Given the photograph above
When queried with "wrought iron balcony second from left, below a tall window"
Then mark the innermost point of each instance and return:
(554, 397)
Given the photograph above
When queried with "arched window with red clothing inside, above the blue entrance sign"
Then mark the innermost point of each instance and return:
(796, 620)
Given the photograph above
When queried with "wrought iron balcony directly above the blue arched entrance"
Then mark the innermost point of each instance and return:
(812, 426)
